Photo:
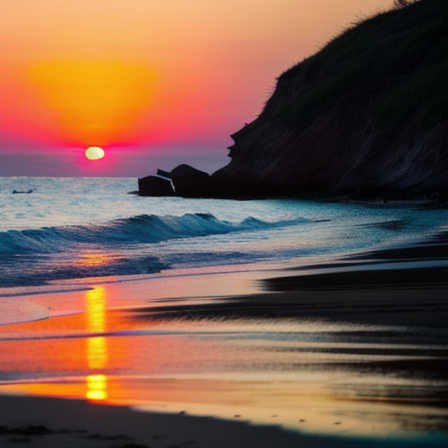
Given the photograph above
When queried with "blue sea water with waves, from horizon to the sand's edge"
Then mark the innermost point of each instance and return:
(69, 228)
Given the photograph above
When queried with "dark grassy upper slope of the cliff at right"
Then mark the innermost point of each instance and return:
(400, 53)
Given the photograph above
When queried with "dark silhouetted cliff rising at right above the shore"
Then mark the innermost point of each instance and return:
(367, 116)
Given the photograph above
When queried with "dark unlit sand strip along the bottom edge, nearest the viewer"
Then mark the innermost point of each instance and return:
(52, 422)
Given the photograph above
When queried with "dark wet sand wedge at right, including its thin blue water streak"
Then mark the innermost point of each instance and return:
(401, 286)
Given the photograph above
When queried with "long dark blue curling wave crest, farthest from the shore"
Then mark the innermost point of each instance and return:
(141, 229)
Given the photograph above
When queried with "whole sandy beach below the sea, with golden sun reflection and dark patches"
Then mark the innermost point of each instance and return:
(378, 379)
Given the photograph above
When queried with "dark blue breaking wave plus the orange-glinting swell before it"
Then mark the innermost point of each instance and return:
(119, 247)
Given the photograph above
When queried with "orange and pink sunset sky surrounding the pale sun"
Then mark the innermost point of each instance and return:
(155, 83)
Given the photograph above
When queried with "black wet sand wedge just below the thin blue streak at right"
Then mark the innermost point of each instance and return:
(334, 297)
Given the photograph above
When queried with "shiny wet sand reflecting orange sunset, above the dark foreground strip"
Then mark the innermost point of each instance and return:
(234, 361)
